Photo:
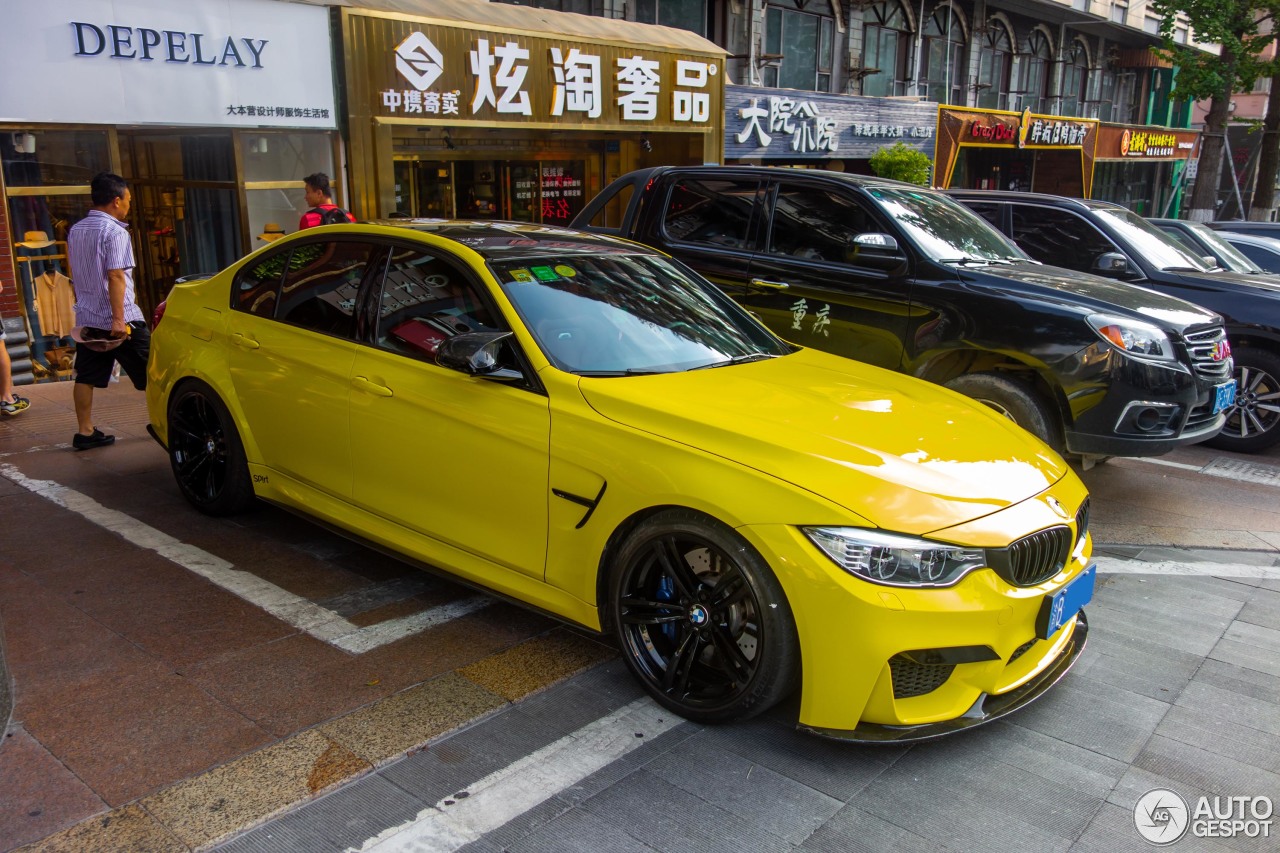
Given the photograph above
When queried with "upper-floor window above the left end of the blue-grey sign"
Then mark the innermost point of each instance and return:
(799, 45)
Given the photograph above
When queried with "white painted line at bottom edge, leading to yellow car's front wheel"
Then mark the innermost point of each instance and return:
(508, 793)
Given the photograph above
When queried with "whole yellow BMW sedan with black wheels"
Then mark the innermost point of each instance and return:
(586, 426)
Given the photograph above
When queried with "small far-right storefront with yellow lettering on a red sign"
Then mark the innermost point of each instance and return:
(1144, 168)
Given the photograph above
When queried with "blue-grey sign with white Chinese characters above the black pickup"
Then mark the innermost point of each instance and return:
(838, 133)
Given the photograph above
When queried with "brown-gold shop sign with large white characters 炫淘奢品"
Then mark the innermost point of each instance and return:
(459, 75)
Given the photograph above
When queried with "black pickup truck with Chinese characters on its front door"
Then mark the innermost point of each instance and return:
(903, 277)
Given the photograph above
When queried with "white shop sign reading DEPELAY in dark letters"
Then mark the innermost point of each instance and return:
(243, 63)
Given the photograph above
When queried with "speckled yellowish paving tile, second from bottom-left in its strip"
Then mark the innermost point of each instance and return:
(252, 790)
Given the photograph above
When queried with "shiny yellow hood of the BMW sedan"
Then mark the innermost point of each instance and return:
(894, 450)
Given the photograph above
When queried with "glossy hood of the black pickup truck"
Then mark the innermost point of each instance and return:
(1076, 289)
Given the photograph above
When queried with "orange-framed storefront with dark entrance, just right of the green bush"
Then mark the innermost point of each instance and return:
(999, 150)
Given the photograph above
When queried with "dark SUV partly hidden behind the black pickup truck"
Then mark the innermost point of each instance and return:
(1114, 241)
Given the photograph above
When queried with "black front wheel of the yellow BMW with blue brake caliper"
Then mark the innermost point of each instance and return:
(703, 623)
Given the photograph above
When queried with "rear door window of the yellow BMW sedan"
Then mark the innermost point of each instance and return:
(322, 285)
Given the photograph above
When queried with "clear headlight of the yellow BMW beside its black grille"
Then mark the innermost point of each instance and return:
(897, 560)
